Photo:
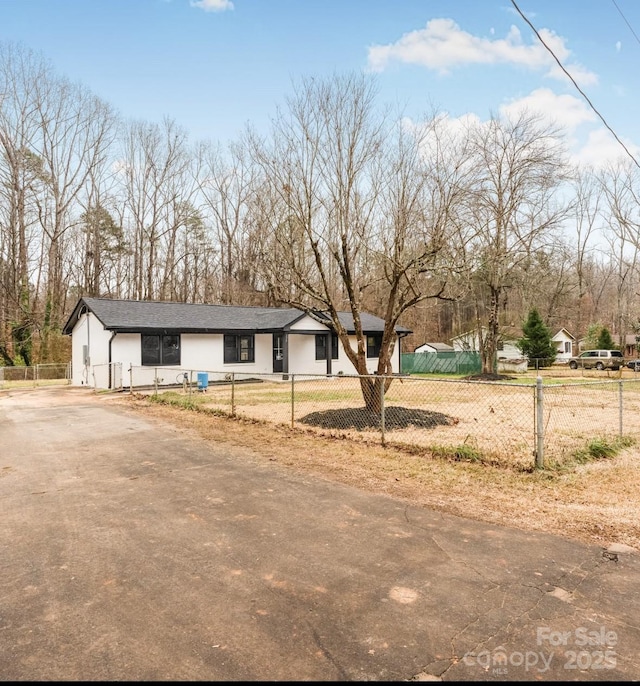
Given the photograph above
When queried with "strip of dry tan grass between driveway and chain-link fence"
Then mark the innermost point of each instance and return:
(598, 502)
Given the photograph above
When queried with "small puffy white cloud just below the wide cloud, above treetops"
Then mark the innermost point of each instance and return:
(565, 111)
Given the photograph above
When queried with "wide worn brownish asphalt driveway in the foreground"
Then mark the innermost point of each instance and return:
(135, 551)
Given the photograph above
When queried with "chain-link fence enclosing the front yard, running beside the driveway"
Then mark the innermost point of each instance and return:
(518, 425)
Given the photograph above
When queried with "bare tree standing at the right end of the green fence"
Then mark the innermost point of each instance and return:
(519, 166)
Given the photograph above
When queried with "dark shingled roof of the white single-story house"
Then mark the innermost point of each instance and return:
(134, 316)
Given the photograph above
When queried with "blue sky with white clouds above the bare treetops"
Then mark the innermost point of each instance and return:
(213, 65)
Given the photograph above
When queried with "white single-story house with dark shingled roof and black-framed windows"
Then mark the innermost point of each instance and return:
(219, 338)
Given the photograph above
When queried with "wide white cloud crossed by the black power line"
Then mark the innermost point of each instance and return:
(442, 45)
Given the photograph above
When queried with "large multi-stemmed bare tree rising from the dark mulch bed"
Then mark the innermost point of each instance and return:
(356, 204)
